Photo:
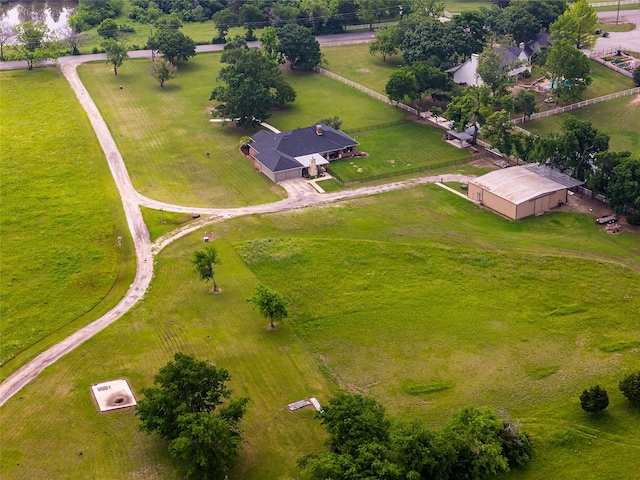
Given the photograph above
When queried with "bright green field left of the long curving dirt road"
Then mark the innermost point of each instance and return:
(66, 251)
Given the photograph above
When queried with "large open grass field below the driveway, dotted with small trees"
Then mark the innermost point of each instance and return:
(389, 295)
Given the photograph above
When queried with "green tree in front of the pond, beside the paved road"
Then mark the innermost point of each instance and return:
(36, 42)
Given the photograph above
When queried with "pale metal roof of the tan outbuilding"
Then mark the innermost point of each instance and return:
(517, 184)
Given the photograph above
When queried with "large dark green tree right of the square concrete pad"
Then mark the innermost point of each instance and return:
(191, 407)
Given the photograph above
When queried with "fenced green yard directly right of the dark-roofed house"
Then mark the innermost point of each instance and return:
(394, 149)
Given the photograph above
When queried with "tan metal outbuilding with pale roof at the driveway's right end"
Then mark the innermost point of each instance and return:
(518, 192)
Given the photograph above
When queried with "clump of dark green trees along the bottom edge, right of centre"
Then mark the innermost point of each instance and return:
(365, 444)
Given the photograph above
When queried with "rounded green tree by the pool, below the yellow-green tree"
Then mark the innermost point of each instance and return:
(568, 70)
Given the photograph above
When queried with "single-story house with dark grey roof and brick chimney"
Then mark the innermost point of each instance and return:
(281, 156)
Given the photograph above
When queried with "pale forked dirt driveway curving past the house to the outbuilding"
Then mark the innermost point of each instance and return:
(300, 195)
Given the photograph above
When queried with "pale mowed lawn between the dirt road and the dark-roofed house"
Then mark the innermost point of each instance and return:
(164, 135)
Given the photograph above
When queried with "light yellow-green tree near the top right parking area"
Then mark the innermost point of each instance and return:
(577, 25)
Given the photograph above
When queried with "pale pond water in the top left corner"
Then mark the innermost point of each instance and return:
(53, 14)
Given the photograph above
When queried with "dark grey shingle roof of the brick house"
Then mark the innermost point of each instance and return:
(278, 151)
